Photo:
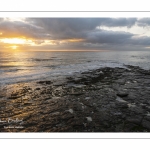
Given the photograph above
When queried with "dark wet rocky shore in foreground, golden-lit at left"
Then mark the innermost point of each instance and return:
(101, 100)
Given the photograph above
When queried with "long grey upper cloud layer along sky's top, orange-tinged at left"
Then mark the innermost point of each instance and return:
(61, 28)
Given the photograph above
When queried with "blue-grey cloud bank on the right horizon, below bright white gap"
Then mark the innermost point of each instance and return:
(111, 40)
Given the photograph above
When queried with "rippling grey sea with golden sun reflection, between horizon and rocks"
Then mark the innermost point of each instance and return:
(25, 66)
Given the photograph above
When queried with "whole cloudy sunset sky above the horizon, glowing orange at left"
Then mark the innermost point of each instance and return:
(74, 34)
